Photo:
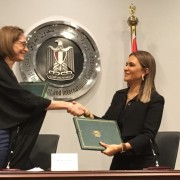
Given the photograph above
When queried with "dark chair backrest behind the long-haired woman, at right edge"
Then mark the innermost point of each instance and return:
(168, 144)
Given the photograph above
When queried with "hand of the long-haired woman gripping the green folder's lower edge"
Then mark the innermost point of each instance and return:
(111, 149)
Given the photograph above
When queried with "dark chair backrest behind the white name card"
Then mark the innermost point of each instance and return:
(41, 153)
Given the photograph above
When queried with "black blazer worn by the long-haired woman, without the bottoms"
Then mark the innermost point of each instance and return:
(141, 120)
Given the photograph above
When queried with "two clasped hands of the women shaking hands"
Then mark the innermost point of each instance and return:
(77, 109)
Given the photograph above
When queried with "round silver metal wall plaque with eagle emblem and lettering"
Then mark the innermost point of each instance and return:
(65, 56)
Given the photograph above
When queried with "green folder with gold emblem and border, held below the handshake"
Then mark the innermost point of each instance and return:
(91, 131)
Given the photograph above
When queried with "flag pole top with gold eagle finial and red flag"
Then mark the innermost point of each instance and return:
(132, 22)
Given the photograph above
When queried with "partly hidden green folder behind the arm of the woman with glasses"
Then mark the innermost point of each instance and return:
(38, 88)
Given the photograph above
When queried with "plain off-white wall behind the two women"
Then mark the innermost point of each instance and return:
(106, 20)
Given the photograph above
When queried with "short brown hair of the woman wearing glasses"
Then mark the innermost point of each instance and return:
(9, 35)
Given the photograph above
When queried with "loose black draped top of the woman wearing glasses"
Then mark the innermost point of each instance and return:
(22, 113)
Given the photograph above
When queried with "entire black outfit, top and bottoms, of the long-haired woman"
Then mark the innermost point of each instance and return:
(139, 123)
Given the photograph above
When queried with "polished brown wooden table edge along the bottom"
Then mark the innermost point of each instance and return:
(94, 175)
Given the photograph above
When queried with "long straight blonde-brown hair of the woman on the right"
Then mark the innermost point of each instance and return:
(146, 60)
